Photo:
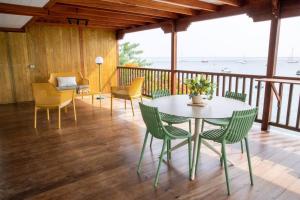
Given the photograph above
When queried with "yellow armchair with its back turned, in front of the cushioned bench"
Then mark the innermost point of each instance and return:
(47, 97)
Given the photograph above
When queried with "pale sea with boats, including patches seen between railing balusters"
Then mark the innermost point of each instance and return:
(256, 66)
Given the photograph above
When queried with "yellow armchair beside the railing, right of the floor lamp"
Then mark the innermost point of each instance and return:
(133, 91)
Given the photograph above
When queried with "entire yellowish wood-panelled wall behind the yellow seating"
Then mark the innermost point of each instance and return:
(52, 49)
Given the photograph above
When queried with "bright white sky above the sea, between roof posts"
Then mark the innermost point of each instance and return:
(236, 36)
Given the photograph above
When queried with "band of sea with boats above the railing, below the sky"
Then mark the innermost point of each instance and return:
(255, 66)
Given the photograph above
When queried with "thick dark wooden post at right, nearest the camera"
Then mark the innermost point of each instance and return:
(271, 66)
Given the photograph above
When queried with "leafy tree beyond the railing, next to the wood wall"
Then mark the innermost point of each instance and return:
(130, 56)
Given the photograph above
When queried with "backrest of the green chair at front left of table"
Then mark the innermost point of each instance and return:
(152, 120)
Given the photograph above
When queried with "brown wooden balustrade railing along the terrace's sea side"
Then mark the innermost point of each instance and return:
(285, 114)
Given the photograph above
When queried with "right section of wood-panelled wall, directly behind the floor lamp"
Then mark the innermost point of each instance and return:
(100, 43)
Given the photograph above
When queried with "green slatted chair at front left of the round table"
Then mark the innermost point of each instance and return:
(155, 127)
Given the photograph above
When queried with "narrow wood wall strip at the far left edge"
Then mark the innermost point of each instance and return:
(6, 95)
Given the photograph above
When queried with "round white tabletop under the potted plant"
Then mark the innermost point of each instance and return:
(218, 107)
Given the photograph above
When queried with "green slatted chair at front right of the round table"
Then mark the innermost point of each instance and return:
(237, 130)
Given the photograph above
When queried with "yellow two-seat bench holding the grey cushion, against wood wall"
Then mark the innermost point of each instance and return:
(79, 80)
